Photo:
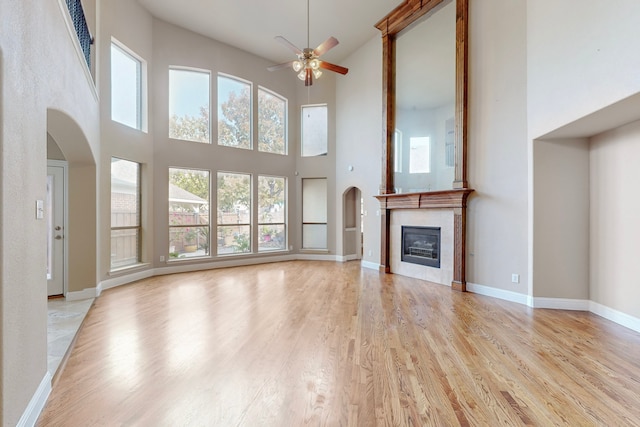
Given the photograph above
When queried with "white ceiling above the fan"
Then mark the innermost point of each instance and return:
(251, 25)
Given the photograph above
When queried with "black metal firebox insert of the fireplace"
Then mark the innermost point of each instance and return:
(421, 245)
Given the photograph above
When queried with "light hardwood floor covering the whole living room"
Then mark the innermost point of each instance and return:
(321, 343)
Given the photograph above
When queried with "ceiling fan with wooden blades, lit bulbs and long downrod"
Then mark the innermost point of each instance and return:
(308, 64)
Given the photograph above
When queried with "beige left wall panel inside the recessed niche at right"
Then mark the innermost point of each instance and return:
(561, 219)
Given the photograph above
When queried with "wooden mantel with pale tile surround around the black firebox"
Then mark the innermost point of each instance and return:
(444, 209)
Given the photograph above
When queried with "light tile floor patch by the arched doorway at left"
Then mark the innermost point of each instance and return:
(64, 320)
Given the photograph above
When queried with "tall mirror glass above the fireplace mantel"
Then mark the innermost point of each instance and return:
(424, 153)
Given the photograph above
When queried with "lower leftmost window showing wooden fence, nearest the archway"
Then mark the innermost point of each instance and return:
(125, 213)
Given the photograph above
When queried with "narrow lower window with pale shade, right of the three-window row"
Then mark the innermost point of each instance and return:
(314, 213)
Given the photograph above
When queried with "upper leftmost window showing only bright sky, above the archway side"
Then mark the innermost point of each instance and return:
(126, 87)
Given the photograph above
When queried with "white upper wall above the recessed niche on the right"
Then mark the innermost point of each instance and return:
(579, 58)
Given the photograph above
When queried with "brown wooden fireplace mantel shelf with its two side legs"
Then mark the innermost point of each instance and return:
(455, 199)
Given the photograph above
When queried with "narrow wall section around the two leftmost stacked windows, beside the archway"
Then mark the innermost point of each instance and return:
(131, 25)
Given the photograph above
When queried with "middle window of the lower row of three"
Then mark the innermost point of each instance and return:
(234, 213)
